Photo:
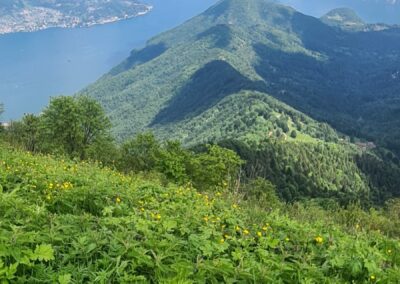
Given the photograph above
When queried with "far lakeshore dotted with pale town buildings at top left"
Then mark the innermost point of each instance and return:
(33, 15)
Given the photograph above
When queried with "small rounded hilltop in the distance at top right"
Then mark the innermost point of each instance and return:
(344, 18)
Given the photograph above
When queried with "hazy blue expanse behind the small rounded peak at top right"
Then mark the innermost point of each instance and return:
(373, 11)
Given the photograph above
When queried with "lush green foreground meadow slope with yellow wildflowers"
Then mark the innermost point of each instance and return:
(77, 222)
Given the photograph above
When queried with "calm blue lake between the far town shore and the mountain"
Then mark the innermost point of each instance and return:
(36, 66)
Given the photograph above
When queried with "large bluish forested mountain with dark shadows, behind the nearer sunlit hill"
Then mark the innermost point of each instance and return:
(330, 74)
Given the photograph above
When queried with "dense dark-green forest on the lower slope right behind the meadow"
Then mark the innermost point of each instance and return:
(321, 170)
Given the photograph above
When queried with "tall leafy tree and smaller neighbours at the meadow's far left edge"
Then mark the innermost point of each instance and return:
(76, 127)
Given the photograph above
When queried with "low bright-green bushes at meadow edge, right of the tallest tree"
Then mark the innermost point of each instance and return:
(212, 168)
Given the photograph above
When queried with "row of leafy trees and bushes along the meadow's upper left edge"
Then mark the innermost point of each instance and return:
(78, 128)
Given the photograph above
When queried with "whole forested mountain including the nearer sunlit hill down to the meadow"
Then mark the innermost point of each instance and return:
(255, 72)
